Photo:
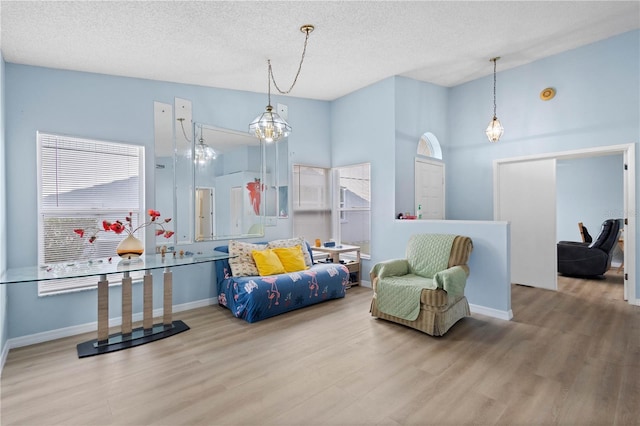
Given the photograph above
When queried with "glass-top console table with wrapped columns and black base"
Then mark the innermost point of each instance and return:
(101, 268)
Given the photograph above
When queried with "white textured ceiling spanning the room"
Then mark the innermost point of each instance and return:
(355, 43)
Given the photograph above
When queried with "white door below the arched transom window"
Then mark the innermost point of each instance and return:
(429, 180)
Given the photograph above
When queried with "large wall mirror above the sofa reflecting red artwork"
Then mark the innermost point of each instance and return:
(239, 183)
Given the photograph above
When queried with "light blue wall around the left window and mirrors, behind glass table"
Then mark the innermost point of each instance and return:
(119, 109)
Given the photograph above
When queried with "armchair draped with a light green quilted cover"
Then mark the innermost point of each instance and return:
(425, 290)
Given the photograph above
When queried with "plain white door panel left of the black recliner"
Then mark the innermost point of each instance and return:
(526, 197)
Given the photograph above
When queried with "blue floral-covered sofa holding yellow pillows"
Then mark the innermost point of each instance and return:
(255, 298)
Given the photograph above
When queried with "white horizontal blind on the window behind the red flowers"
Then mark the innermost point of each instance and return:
(81, 183)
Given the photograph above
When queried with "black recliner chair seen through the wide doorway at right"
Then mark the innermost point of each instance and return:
(589, 259)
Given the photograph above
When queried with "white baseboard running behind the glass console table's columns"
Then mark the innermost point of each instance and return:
(59, 333)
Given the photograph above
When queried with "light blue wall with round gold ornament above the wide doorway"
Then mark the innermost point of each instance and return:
(597, 104)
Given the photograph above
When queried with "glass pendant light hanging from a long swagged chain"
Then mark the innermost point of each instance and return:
(269, 126)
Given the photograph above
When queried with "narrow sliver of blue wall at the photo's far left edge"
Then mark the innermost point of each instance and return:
(4, 323)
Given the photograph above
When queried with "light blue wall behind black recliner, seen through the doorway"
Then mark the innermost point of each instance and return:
(589, 190)
